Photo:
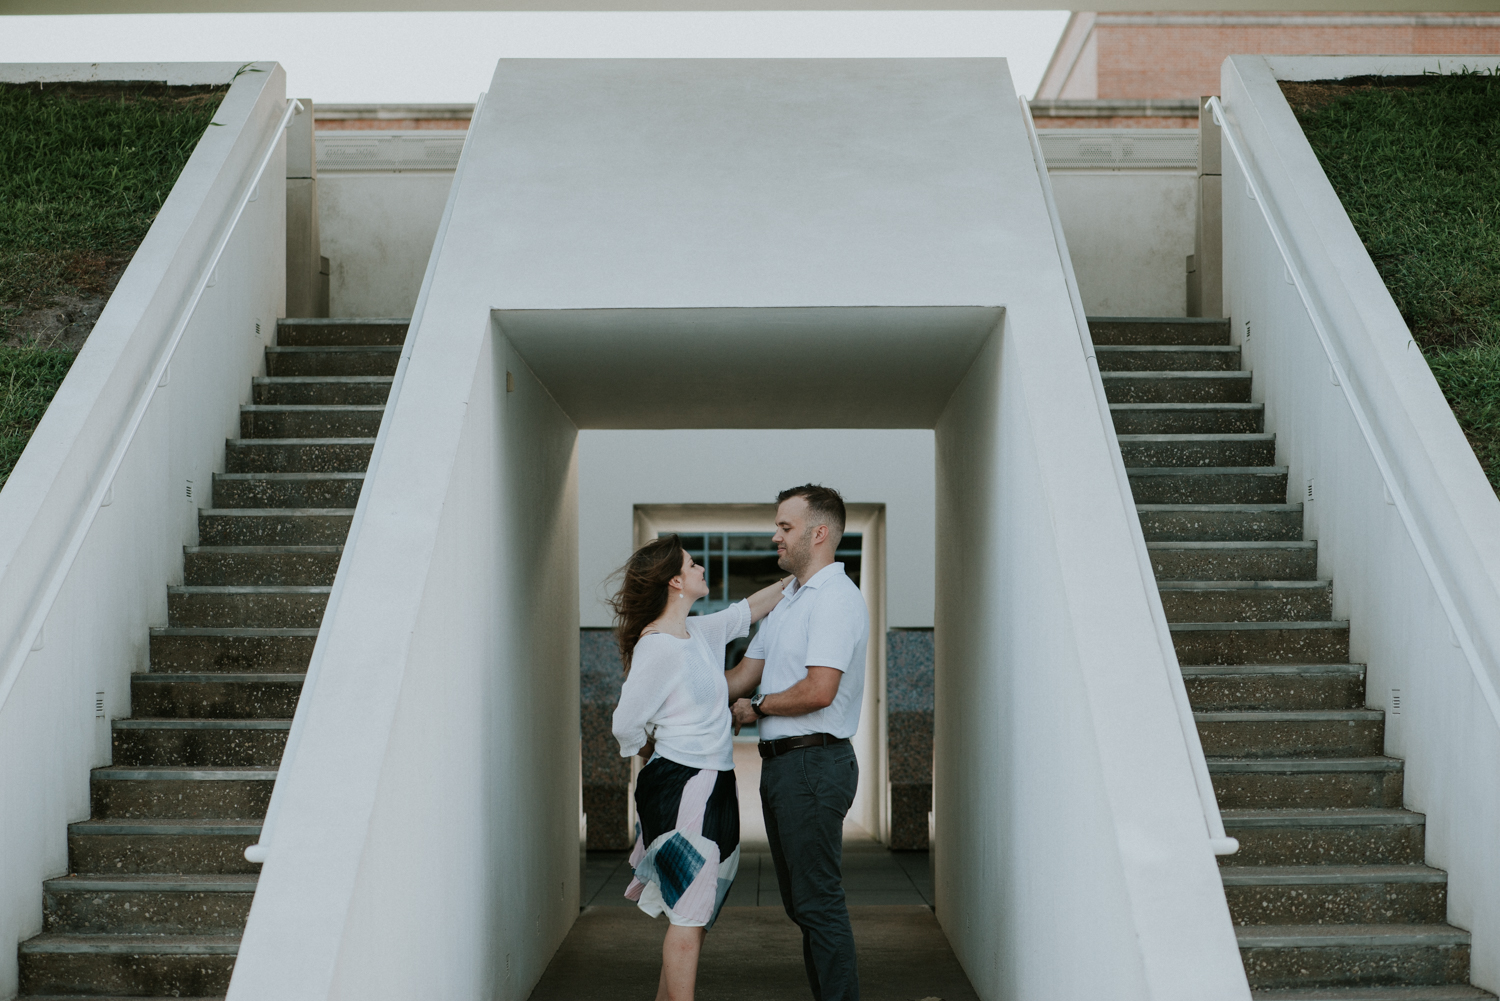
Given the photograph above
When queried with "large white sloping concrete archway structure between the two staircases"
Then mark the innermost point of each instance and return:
(704, 205)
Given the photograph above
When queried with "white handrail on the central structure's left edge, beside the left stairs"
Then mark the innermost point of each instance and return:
(260, 852)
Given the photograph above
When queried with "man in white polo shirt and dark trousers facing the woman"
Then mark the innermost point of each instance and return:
(809, 658)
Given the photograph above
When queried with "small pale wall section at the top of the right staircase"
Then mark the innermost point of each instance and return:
(1130, 233)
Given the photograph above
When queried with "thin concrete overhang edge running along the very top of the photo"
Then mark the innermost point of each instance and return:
(229, 7)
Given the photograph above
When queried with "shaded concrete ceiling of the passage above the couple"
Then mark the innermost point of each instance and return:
(818, 367)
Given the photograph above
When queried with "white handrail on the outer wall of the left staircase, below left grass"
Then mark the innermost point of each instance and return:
(32, 637)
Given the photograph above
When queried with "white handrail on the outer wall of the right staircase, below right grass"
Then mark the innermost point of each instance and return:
(1397, 497)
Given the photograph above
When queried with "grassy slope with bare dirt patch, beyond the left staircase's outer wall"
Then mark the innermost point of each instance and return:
(83, 172)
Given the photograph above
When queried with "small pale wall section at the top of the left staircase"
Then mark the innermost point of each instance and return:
(377, 233)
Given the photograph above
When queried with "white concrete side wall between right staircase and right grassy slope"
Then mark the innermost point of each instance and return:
(1408, 526)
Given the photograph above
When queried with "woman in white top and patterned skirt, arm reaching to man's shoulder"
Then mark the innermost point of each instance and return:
(674, 711)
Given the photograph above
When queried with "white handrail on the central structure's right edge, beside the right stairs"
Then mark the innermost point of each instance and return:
(1220, 843)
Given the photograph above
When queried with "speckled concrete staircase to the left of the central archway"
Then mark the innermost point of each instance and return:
(158, 888)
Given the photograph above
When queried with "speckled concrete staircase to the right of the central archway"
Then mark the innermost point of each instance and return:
(1328, 891)
